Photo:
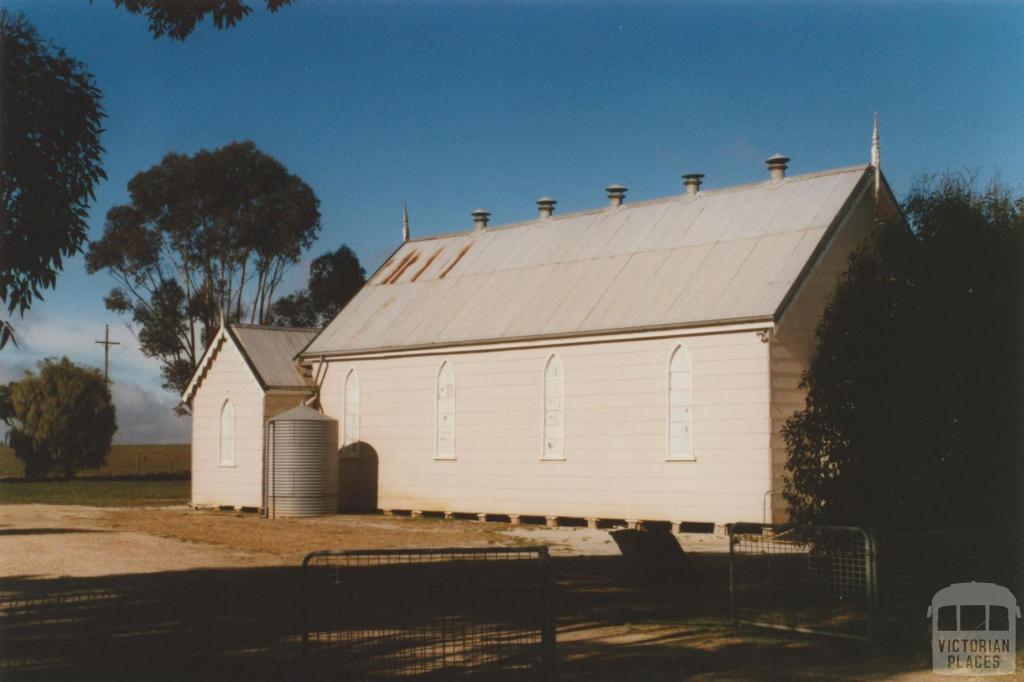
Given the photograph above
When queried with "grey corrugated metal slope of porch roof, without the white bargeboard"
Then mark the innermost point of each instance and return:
(271, 351)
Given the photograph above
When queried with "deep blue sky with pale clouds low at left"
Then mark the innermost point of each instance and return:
(454, 106)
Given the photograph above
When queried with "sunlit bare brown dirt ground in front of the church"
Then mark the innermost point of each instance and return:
(55, 541)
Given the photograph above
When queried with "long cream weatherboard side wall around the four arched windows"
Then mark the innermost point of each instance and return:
(617, 421)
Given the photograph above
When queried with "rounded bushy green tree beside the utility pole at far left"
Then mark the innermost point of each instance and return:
(64, 419)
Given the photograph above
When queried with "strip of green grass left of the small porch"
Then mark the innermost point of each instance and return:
(96, 493)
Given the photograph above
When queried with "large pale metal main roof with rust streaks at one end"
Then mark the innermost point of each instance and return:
(719, 255)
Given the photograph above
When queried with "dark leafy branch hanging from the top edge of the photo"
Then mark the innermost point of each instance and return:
(178, 19)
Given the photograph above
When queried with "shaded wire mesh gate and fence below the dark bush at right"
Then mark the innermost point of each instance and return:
(847, 582)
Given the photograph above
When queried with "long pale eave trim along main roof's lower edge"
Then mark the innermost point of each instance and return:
(552, 343)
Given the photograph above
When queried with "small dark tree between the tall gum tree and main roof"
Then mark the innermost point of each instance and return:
(334, 279)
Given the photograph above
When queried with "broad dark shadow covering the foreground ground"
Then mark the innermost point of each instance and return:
(617, 620)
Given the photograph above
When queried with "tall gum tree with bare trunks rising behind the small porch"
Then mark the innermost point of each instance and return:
(207, 233)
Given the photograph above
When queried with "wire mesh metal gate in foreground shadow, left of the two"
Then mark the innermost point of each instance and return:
(436, 614)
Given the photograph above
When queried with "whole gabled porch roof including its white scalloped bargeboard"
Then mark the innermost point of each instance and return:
(268, 352)
